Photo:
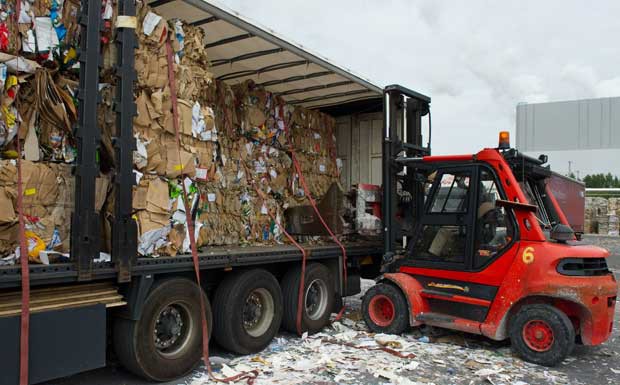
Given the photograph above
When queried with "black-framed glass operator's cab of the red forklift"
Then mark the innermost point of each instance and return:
(460, 226)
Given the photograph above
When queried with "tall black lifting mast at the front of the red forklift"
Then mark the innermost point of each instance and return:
(403, 110)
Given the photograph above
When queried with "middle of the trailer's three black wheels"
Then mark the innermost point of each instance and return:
(248, 311)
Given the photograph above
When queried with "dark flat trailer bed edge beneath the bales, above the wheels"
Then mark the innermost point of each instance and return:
(210, 258)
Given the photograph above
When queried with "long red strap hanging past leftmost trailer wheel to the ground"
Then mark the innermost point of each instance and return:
(248, 376)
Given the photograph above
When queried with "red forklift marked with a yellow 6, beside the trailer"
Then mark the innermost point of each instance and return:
(478, 243)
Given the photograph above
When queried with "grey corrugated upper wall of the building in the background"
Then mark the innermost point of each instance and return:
(573, 125)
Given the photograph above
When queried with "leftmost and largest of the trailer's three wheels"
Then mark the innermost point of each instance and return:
(166, 342)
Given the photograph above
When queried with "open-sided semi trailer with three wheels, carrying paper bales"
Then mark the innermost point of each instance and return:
(71, 314)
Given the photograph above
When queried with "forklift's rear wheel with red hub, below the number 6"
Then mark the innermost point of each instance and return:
(542, 334)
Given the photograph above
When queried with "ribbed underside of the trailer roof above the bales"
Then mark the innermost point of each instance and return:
(243, 50)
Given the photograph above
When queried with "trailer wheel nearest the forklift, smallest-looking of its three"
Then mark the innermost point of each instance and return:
(319, 298)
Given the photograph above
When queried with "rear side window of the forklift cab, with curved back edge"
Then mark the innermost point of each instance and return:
(494, 229)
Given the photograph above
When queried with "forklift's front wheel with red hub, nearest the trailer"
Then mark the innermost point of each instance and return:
(385, 309)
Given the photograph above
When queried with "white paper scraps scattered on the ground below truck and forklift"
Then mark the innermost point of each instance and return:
(350, 357)
